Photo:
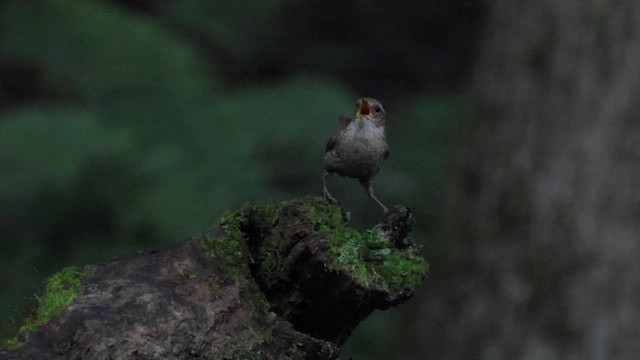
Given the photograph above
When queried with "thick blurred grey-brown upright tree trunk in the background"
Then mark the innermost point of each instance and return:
(545, 211)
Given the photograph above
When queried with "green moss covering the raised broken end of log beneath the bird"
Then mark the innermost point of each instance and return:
(259, 234)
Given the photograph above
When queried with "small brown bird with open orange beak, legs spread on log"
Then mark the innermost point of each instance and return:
(358, 149)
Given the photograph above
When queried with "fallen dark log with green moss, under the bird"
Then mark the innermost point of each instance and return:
(270, 282)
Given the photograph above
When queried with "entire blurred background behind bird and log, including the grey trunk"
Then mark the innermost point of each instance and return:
(513, 127)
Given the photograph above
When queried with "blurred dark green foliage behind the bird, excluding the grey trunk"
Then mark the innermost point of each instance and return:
(131, 125)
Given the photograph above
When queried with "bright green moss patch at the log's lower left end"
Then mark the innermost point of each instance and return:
(62, 289)
